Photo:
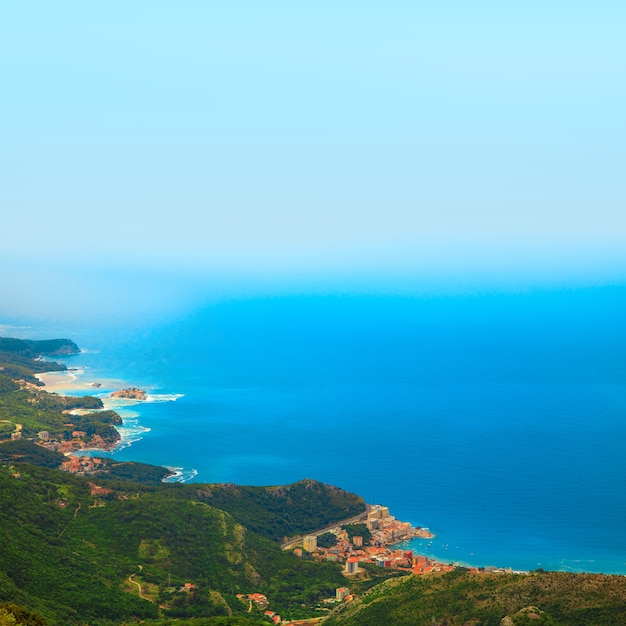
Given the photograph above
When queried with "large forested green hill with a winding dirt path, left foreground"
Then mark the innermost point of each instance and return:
(75, 549)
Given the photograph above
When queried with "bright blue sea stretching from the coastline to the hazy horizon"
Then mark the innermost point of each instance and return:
(497, 420)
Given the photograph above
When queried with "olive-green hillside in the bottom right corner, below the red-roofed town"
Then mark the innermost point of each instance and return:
(462, 598)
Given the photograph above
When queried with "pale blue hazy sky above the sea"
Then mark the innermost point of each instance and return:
(315, 145)
